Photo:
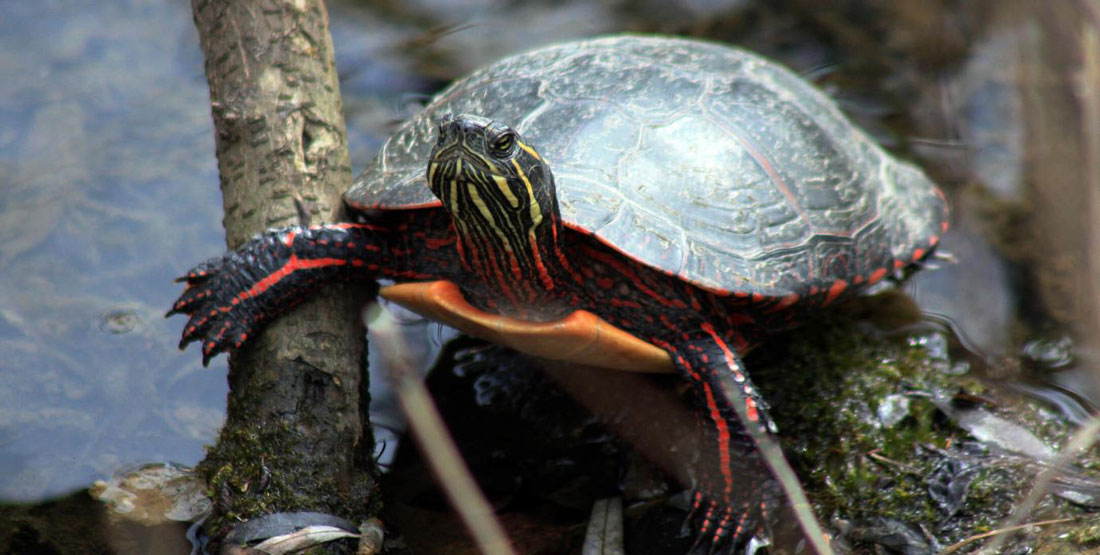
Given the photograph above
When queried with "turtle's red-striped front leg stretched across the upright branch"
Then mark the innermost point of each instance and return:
(230, 297)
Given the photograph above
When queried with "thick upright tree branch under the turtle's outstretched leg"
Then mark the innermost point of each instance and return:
(296, 437)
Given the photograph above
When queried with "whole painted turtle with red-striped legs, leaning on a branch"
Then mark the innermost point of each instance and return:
(701, 197)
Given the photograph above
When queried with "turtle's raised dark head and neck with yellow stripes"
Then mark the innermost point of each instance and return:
(502, 199)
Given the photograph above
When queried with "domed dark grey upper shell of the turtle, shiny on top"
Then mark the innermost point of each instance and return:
(700, 160)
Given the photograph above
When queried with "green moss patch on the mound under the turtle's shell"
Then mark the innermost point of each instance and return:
(827, 385)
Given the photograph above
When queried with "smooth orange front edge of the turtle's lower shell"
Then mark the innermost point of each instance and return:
(580, 338)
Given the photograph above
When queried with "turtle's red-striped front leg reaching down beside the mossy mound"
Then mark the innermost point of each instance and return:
(736, 494)
